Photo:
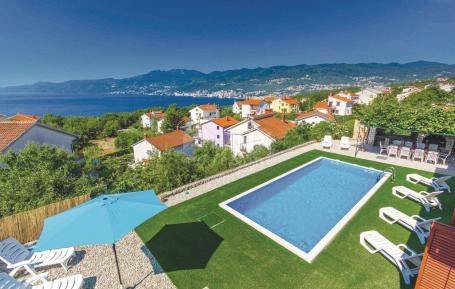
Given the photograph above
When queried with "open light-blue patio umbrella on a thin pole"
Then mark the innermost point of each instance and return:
(102, 220)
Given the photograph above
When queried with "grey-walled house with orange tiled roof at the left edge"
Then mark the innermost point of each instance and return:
(21, 129)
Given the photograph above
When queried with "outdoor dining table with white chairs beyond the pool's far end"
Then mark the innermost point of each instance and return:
(410, 151)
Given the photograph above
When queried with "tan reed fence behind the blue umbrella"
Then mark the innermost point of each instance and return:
(27, 226)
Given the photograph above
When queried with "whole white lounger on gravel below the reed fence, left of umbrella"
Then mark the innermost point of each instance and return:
(17, 256)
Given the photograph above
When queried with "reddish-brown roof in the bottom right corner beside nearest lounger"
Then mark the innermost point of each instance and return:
(437, 269)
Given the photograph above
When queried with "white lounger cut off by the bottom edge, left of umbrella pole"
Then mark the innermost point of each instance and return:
(71, 282)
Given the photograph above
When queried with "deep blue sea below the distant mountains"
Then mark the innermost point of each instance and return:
(95, 105)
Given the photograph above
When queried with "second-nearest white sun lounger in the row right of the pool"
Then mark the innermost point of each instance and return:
(414, 223)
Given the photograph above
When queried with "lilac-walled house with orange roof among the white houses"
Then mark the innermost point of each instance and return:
(216, 130)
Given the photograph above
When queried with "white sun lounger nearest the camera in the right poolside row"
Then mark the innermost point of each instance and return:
(407, 261)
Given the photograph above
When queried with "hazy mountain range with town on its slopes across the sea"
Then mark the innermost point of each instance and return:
(246, 82)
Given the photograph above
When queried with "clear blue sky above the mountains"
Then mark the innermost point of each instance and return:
(61, 40)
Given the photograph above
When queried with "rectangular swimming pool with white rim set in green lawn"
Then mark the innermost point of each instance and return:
(305, 208)
